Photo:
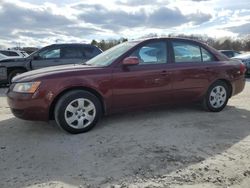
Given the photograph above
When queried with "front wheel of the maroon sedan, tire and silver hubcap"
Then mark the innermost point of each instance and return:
(77, 111)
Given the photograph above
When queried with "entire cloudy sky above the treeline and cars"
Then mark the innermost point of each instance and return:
(39, 23)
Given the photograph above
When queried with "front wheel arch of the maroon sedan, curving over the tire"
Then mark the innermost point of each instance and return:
(91, 90)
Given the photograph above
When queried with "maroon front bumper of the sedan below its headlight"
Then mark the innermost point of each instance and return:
(28, 106)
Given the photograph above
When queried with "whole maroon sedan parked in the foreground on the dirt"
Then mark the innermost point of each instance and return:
(131, 75)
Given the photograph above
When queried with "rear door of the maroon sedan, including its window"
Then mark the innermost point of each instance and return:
(191, 73)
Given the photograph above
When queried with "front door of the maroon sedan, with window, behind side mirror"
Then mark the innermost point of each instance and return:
(146, 84)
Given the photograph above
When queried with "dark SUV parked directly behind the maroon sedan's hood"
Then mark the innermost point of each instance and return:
(53, 55)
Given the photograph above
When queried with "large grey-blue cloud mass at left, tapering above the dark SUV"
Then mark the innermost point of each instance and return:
(25, 24)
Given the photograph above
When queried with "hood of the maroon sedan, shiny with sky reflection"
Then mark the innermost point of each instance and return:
(39, 73)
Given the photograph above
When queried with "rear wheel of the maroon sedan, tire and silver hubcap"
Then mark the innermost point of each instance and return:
(216, 97)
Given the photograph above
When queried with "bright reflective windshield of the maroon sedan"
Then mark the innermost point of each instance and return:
(108, 57)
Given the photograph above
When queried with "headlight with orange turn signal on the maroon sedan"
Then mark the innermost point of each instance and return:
(28, 87)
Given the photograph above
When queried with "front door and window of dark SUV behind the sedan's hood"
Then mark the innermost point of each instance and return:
(47, 57)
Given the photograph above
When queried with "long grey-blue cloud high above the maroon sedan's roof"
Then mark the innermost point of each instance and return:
(117, 20)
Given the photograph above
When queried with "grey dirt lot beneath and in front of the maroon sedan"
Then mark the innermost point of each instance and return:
(174, 147)
